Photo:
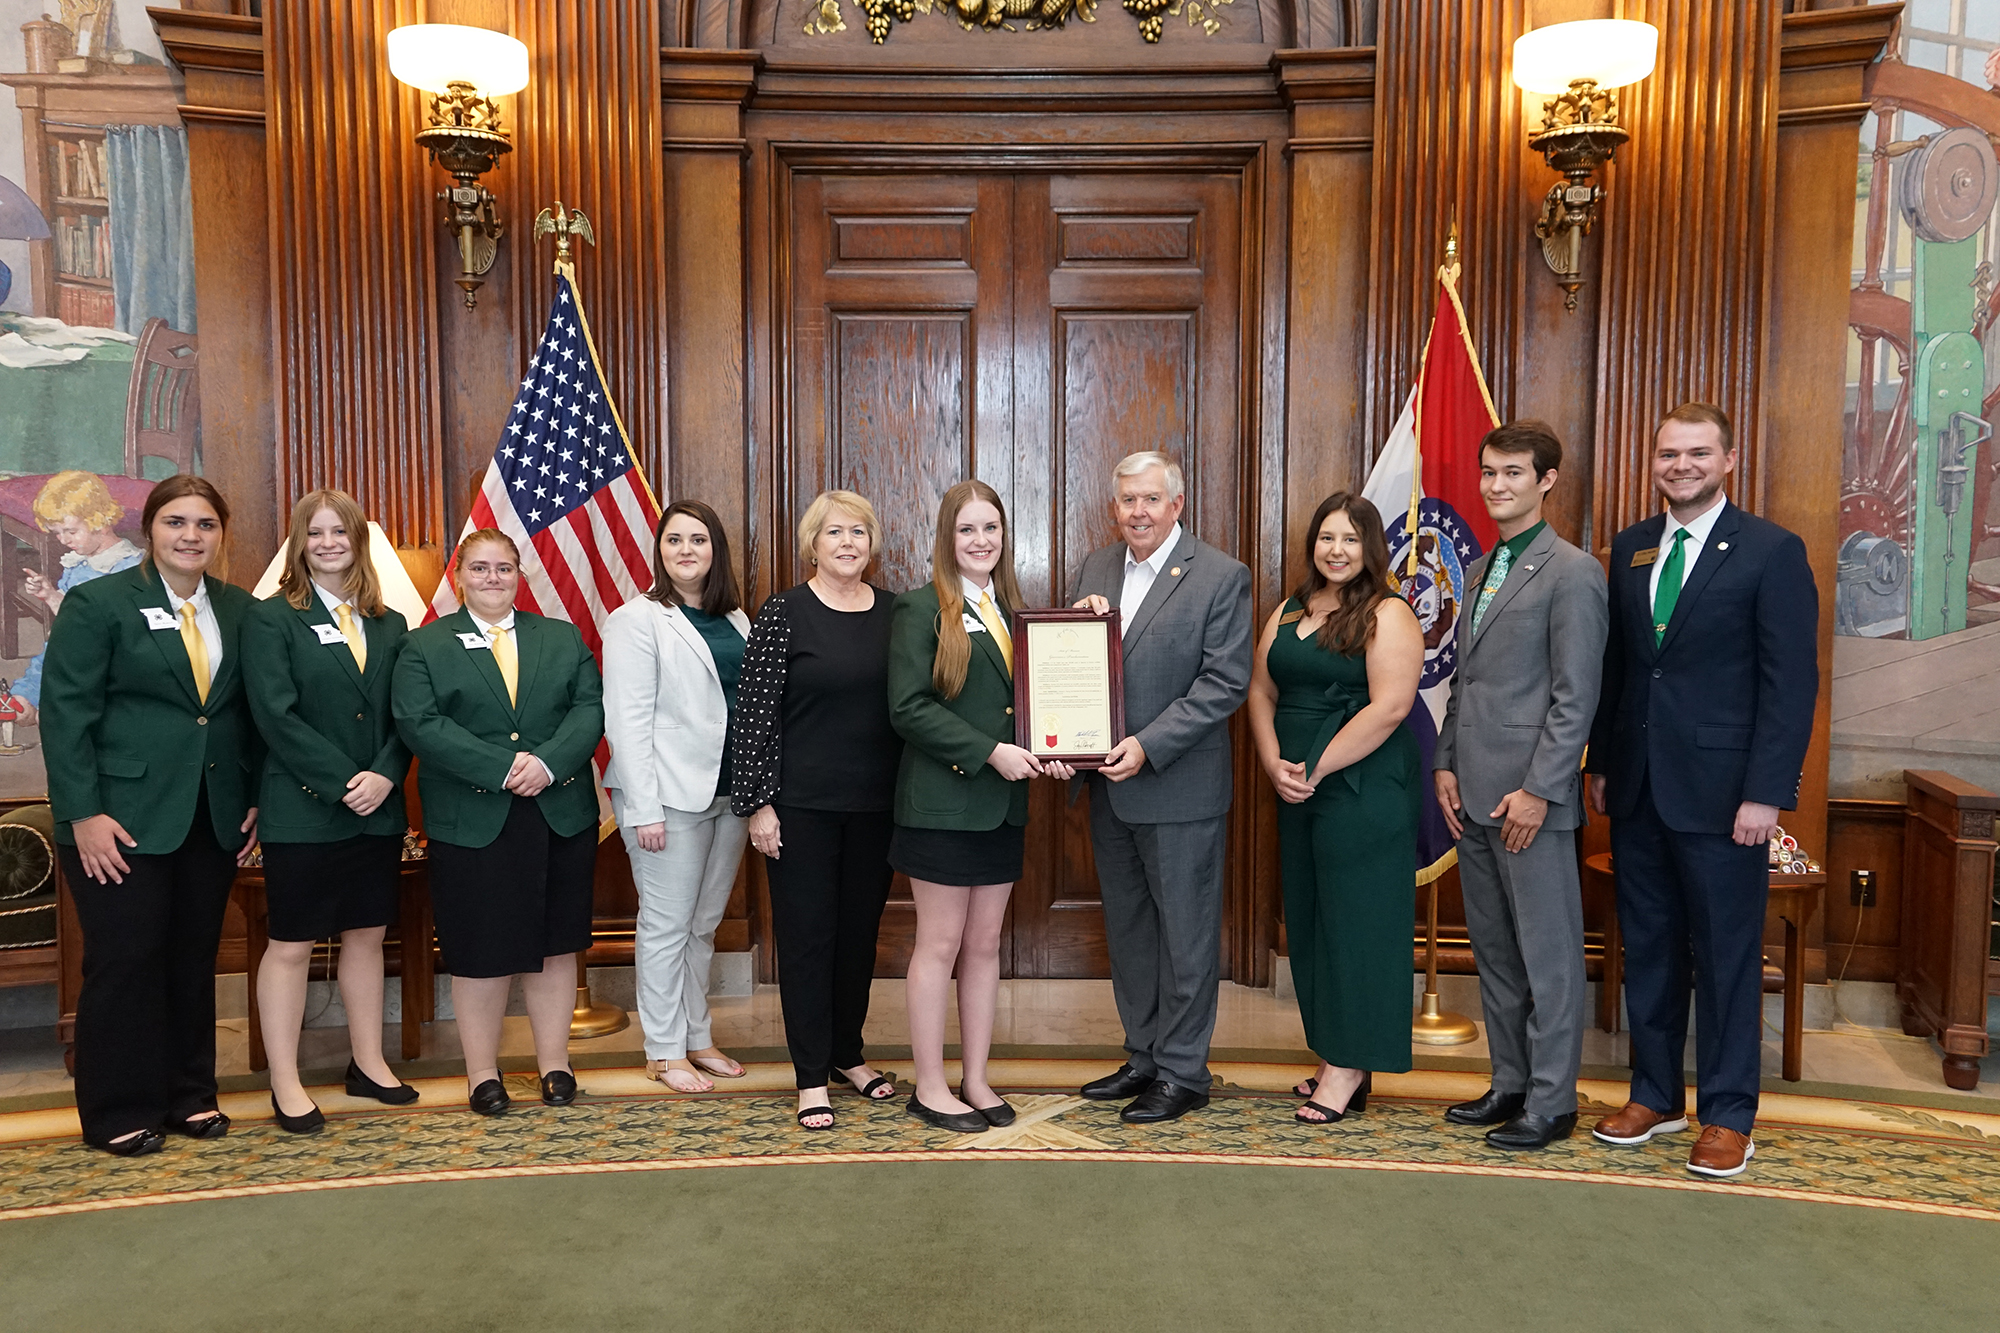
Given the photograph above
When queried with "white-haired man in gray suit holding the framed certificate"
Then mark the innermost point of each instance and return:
(1157, 810)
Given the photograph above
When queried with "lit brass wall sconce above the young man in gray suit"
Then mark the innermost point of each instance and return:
(1579, 65)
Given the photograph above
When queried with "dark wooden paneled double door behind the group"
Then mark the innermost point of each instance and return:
(1027, 329)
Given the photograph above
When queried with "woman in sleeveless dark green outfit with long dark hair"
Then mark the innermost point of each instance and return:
(1337, 672)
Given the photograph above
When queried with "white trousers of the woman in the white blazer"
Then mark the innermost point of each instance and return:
(683, 894)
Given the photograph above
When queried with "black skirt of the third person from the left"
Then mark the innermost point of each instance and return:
(523, 898)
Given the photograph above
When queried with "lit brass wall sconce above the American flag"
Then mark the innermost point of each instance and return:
(463, 69)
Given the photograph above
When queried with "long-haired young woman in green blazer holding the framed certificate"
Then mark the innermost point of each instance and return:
(961, 796)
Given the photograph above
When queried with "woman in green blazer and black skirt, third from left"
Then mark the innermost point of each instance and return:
(505, 710)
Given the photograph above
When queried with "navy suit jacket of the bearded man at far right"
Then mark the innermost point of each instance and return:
(1721, 712)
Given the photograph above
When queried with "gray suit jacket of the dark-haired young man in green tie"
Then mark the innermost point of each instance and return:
(1527, 686)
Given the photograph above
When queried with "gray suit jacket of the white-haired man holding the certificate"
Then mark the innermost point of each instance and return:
(1187, 670)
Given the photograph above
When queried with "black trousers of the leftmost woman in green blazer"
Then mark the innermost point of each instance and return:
(147, 1014)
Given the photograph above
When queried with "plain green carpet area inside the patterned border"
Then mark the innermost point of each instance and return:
(959, 1246)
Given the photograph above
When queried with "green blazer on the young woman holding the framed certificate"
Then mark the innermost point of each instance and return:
(945, 780)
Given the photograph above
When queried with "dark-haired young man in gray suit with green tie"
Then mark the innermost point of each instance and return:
(1531, 647)
